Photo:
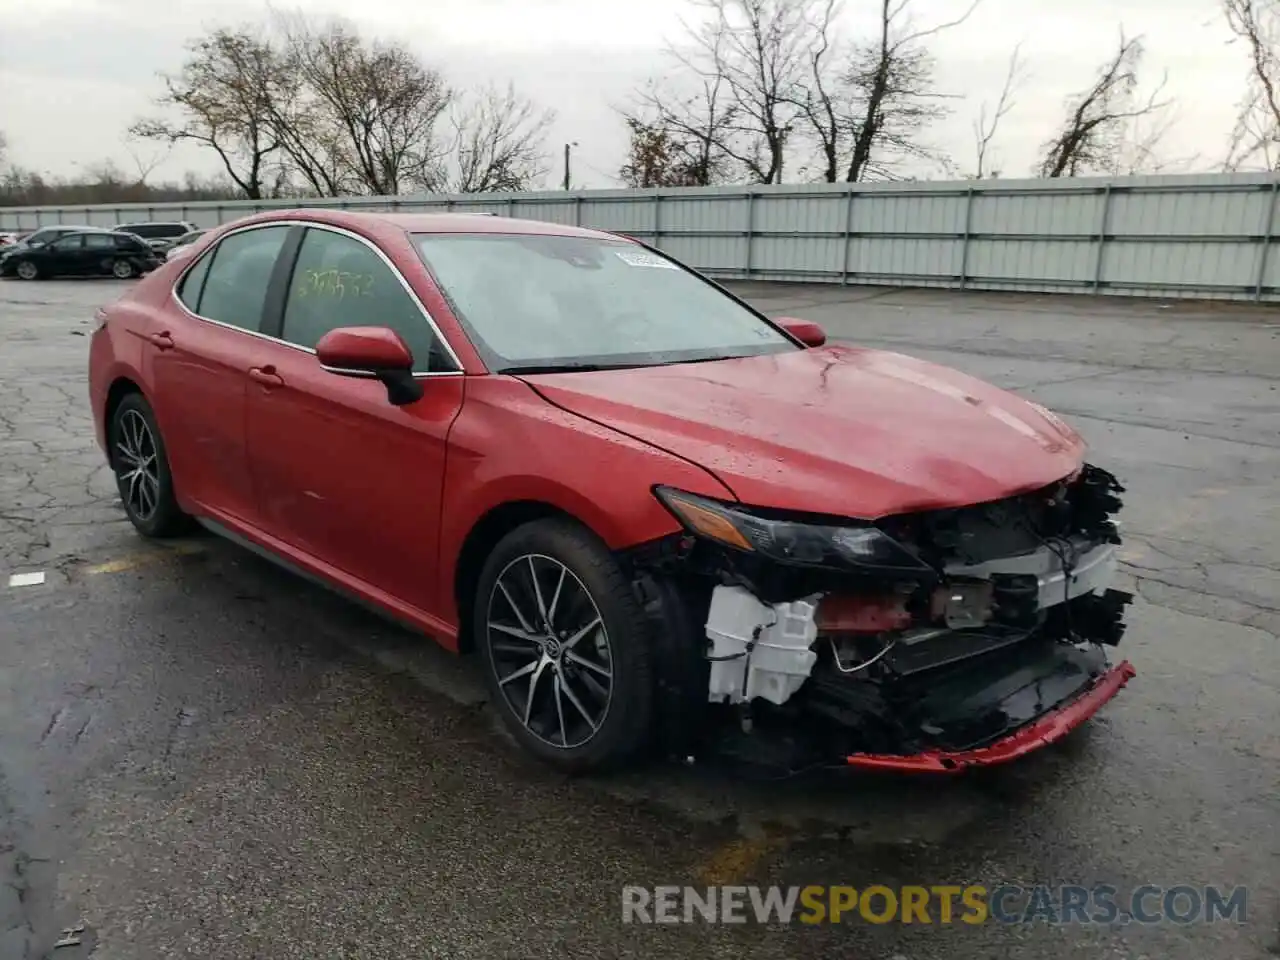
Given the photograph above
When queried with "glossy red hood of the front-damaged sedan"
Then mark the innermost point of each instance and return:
(838, 431)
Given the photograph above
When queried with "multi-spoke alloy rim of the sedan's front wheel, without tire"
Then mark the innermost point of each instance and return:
(551, 651)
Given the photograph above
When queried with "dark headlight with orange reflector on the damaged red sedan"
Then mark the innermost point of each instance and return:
(845, 545)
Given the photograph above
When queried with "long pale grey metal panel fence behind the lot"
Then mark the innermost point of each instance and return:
(1188, 236)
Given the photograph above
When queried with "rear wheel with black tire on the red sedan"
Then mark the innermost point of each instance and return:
(158, 516)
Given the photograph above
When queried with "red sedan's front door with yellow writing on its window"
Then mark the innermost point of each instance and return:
(341, 474)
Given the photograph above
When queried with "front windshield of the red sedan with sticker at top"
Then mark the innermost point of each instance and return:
(538, 303)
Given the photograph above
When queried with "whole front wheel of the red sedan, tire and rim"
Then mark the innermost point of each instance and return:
(565, 647)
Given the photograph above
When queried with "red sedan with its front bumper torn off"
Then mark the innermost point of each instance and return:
(660, 519)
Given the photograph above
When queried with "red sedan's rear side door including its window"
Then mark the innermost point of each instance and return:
(199, 368)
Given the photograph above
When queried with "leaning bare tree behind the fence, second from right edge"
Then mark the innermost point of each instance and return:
(1098, 121)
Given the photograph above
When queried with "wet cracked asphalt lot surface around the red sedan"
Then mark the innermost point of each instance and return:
(205, 757)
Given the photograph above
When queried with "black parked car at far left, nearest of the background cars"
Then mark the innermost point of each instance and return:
(93, 253)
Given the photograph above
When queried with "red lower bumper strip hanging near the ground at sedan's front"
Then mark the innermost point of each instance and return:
(1034, 737)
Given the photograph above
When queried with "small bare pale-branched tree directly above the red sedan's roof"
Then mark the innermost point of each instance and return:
(500, 143)
